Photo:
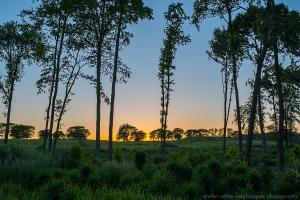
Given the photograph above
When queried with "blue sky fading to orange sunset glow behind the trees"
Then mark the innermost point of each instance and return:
(197, 97)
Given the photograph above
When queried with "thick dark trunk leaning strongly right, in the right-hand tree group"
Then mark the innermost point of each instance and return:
(257, 85)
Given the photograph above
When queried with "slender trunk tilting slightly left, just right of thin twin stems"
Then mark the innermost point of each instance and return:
(234, 74)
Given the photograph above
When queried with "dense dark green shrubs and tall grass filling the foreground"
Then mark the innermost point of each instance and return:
(30, 174)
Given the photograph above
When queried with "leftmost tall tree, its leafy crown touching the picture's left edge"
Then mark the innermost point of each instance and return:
(17, 42)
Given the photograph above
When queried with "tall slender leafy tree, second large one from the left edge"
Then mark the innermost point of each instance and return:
(53, 18)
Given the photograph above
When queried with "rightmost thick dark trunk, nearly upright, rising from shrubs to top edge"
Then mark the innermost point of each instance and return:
(280, 96)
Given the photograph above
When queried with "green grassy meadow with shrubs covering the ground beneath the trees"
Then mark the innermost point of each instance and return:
(196, 169)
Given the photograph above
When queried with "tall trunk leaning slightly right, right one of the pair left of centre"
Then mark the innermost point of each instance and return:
(113, 87)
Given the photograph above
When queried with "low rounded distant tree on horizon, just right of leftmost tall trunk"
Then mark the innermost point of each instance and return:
(20, 131)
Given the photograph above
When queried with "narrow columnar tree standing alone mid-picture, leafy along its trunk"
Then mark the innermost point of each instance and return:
(175, 18)
